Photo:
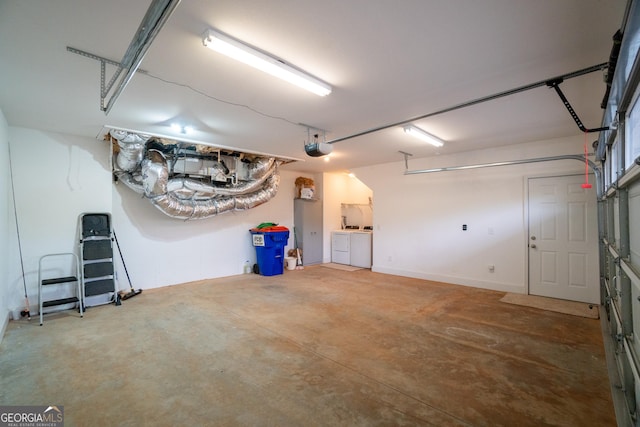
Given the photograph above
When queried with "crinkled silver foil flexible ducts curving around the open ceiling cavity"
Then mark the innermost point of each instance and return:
(148, 171)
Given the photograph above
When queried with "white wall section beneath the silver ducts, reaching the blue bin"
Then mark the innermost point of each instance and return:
(160, 250)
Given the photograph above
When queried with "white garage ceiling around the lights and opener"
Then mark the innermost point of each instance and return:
(387, 61)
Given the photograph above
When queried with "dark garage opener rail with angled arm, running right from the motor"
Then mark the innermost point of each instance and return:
(542, 83)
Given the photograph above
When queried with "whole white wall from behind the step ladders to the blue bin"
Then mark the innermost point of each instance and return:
(59, 177)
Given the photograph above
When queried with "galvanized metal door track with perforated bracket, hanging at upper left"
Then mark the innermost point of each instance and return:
(157, 15)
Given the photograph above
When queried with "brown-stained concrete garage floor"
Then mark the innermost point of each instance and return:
(312, 347)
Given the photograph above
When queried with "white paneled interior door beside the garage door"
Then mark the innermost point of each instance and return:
(563, 239)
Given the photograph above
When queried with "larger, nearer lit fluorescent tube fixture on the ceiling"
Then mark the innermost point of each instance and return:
(251, 56)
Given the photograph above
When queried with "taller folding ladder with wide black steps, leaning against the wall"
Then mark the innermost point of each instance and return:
(96, 256)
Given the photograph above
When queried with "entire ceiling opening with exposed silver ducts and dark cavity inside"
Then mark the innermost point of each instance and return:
(186, 182)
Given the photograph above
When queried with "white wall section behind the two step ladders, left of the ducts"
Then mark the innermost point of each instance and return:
(57, 177)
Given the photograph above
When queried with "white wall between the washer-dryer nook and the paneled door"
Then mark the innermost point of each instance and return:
(418, 218)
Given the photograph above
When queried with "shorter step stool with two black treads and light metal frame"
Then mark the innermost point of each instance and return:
(59, 285)
